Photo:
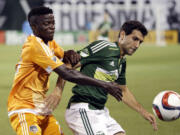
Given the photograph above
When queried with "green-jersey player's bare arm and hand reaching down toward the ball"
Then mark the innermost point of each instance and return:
(129, 99)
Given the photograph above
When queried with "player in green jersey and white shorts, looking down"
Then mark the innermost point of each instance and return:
(86, 113)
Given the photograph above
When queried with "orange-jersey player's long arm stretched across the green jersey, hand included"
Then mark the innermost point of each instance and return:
(79, 78)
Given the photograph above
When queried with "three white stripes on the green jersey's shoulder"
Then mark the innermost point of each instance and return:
(102, 45)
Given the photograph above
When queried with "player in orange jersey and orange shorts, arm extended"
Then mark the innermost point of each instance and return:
(40, 56)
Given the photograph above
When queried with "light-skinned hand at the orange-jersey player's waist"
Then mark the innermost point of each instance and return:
(52, 101)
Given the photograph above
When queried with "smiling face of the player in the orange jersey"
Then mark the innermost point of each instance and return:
(45, 27)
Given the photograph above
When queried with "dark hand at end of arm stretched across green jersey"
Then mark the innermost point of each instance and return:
(114, 89)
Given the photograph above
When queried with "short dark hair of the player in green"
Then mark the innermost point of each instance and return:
(129, 26)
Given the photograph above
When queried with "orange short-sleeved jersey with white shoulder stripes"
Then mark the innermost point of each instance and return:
(31, 80)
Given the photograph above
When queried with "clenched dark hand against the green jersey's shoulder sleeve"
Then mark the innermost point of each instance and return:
(71, 57)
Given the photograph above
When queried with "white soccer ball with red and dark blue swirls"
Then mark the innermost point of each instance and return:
(166, 105)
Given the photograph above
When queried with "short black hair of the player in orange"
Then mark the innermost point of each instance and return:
(39, 11)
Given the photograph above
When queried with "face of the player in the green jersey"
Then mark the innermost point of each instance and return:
(130, 43)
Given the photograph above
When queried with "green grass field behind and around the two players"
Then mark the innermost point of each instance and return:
(150, 70)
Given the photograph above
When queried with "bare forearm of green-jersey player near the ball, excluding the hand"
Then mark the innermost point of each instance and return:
(129, 99)
